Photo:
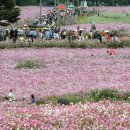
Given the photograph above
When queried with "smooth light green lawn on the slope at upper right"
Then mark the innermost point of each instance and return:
(105, 17)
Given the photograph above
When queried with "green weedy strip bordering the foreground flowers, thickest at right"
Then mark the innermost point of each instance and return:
(93, 96)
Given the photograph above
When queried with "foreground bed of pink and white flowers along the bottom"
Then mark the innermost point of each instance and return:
(88, 116)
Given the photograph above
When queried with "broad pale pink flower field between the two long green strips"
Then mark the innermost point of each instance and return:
(64, 71)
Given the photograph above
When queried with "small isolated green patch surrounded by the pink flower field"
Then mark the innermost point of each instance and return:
(28, 64)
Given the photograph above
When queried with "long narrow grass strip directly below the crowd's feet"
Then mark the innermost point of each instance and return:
(65, 44)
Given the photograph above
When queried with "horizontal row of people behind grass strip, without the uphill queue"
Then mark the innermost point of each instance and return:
(24, 35)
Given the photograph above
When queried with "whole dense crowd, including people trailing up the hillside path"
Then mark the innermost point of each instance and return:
(47, 28)
